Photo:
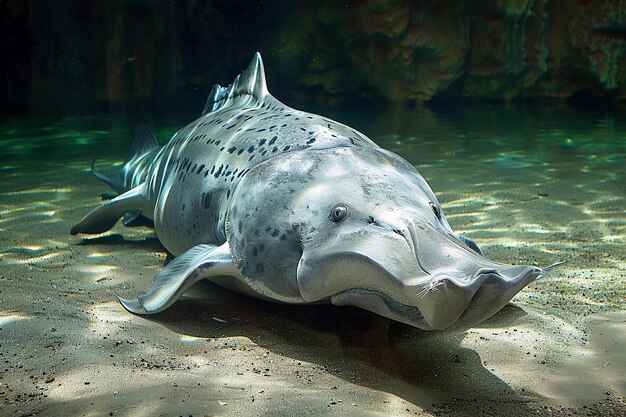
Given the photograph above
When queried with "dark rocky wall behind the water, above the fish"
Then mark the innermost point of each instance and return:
(87, 55)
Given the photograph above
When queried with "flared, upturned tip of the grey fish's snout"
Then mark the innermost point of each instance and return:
(448, 300)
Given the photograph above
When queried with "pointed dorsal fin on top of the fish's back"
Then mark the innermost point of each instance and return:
(250, 84)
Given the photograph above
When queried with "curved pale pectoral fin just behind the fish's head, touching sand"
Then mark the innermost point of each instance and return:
(199, 262)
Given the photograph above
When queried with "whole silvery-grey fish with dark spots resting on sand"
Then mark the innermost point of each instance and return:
(293, 207)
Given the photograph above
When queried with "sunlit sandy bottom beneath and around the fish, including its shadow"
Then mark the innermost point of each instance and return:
(68, 348)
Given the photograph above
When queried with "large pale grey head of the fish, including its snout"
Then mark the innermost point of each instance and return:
(361, 227)
